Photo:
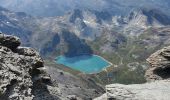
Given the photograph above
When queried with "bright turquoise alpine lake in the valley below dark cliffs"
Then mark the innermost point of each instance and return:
(85, 63)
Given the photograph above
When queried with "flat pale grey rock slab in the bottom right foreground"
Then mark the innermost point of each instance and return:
(158, 90)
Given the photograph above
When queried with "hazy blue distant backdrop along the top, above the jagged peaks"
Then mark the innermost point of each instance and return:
(61, 7)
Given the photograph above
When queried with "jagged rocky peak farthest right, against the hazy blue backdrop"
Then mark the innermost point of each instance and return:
(149, 17)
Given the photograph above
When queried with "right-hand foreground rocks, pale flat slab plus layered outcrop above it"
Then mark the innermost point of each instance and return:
(157, 88)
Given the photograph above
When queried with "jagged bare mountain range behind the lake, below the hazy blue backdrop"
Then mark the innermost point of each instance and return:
(83, 25)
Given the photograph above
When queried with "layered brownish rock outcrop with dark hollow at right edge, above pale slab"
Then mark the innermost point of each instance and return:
(159, 65)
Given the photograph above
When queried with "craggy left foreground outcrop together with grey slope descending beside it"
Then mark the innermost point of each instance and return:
(23, 76)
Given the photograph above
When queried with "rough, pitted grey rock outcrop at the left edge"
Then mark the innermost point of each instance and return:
(17, 69)
